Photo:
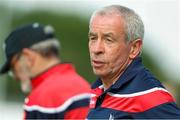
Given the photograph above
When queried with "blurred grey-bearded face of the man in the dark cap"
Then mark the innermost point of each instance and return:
(21, 72)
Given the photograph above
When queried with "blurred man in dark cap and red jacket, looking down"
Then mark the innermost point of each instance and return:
(56, 90)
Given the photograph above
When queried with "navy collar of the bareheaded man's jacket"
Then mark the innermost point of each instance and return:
(128, 74)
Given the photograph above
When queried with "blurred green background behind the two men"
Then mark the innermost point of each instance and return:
(71, 30)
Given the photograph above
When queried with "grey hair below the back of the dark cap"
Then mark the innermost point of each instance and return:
(47, 48)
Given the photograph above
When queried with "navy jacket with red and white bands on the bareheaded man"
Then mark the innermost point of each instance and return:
(136, 94)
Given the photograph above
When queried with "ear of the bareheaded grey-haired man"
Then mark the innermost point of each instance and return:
(136, 47)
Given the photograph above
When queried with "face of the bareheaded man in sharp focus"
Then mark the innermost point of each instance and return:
(109, 51)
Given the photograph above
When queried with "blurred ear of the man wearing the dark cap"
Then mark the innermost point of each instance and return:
(30, 56)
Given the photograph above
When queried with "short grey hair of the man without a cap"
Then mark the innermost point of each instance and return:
(134, 27)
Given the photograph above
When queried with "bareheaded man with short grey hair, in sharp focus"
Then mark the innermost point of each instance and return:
(125, 88)
